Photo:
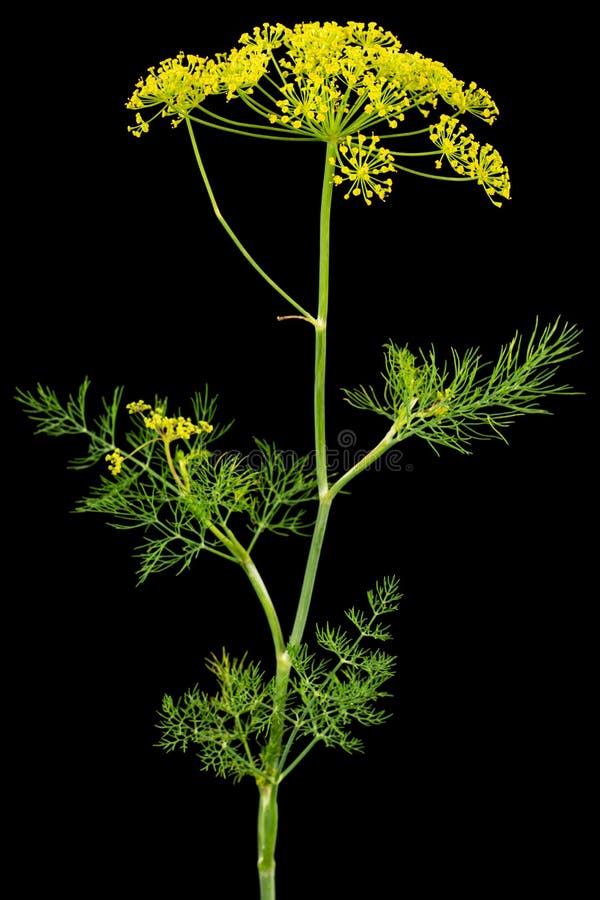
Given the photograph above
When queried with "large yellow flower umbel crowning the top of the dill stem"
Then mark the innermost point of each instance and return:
(346, 85)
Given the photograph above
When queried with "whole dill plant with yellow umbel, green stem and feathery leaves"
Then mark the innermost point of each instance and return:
(378, 112)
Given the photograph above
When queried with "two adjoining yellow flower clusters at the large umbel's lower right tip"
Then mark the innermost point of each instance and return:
(470, 158)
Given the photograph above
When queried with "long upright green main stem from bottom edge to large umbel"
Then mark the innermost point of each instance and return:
(267, 807)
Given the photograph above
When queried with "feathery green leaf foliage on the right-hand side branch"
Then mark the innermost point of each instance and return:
(453, 403)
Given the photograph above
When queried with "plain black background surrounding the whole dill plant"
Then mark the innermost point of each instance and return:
(117, 270)
